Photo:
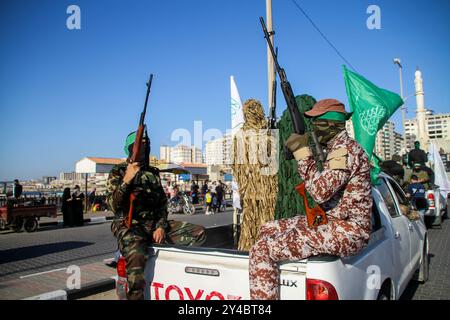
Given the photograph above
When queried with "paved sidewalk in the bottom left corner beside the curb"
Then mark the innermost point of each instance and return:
(93, 277)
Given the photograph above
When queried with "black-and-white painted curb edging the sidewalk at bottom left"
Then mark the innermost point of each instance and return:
(88, 289)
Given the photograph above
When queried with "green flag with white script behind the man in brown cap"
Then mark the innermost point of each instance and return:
(371, 107)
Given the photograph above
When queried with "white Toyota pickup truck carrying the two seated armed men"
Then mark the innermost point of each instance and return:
(397, 251)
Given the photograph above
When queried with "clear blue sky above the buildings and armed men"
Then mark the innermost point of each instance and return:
(66, 94)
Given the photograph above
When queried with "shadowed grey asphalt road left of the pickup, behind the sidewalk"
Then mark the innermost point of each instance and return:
(54, 247)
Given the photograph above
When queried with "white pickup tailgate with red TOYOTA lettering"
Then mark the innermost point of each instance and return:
(206, 274)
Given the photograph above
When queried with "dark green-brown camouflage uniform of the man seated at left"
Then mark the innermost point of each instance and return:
(150, 213)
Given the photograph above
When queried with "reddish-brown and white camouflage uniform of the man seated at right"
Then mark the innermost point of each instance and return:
(343, 190)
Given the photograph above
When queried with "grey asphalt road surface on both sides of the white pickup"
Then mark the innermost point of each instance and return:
(52, 248)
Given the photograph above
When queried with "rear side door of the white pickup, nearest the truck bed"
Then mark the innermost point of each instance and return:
(400, 237)
